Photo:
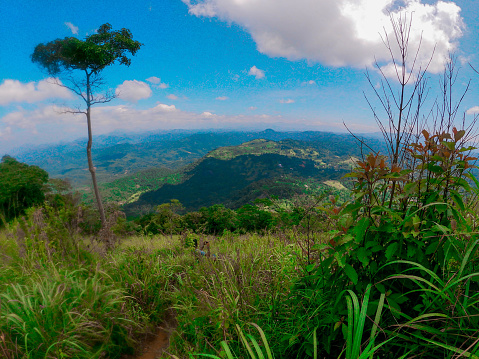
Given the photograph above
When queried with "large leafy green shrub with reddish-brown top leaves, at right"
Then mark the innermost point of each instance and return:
(403, 224)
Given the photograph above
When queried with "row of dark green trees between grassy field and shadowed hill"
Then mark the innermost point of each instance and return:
(265, 215)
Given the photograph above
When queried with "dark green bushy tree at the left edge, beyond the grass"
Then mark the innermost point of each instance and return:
(21, 186)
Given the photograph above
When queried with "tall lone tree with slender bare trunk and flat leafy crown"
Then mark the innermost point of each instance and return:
(69, 56)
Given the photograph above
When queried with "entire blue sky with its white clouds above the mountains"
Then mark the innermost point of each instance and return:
(225, 64)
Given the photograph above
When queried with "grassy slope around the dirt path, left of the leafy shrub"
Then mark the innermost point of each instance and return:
(91, 304)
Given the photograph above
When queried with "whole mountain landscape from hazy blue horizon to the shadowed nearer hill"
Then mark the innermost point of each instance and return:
(200, 169)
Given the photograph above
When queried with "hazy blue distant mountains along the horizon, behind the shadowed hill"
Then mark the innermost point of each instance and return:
(120, 155)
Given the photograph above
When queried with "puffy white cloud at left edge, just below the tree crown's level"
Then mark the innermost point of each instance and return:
(16, 91)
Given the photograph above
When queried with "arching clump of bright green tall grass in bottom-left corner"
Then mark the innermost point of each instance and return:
(67, 314)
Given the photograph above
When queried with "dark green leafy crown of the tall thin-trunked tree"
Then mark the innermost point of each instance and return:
(93, 54)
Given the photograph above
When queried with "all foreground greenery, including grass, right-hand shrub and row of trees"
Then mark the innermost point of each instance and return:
(387, 276)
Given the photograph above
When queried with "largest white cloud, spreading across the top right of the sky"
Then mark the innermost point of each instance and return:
(339, 32)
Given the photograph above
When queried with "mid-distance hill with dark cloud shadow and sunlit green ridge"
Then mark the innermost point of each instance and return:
(236, 175)
